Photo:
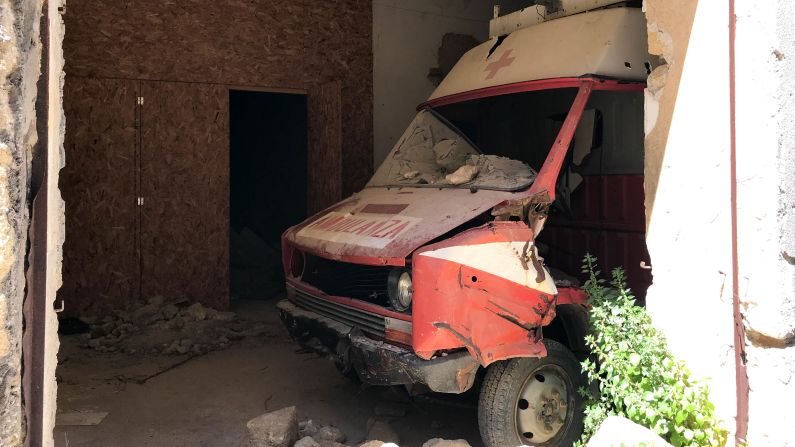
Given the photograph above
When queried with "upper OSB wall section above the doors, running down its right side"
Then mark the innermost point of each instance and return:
(281, 43)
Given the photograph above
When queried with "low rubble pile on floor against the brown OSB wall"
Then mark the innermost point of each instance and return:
(160, 327)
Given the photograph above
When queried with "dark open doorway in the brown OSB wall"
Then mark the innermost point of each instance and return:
(268, 159)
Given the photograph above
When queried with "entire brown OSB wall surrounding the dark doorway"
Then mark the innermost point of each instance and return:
(186, 55)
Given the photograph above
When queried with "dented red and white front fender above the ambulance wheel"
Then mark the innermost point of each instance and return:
(484, 290)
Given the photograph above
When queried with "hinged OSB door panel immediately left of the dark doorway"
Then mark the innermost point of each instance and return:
(185, 187)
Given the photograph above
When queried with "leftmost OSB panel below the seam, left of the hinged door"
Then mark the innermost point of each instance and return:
(98, 183)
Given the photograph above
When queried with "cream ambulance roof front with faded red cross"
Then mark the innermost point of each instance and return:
(607, 42)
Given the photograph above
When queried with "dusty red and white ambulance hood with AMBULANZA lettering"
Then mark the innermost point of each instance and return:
(383, 226)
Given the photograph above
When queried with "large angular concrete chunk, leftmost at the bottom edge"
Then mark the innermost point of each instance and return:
(275, 429)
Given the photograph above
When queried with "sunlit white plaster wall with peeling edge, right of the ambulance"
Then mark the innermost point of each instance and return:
(688, 200)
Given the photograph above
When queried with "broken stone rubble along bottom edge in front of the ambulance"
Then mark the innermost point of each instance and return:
(281, 428)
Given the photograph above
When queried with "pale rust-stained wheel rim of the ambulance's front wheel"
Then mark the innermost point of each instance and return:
(543, 405)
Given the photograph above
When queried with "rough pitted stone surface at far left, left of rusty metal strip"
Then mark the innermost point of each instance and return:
(20, 54)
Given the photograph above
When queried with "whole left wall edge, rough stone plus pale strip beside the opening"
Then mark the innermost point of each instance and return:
(20, 53)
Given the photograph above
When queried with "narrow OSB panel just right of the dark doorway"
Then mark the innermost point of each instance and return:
(324, 173)
